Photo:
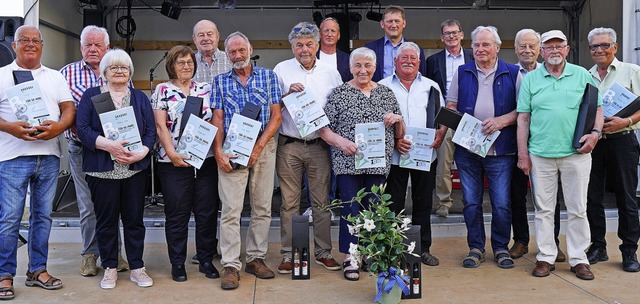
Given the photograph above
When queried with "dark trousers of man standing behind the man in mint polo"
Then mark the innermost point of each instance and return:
(519, 221)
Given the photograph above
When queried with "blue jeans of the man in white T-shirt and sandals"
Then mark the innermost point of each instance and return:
(40, 174)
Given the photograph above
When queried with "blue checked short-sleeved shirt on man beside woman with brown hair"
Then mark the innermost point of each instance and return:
(229, 95)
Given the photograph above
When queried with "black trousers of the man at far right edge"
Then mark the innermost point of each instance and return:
(621, 155)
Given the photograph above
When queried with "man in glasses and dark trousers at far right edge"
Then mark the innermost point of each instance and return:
(616, 156)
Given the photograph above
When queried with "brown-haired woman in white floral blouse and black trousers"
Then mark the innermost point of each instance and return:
(184, 188)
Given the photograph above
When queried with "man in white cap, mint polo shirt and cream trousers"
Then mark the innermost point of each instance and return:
(548, 105)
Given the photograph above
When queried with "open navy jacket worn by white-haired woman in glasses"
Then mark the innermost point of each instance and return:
(89, 128)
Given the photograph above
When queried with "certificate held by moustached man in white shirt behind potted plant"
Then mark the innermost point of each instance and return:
(420, 154)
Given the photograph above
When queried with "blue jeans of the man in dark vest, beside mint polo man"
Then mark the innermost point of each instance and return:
(498, 169)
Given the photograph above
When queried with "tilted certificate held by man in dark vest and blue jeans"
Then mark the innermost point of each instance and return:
(469, 135)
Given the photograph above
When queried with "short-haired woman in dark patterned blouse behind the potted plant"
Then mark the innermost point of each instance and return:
(358, 101)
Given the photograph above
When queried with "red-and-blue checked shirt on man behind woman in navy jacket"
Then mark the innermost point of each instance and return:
(80, 77)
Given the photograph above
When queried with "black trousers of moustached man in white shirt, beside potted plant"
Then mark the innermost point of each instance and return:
(422, 184)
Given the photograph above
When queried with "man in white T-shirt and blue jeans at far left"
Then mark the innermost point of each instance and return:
(30, 156)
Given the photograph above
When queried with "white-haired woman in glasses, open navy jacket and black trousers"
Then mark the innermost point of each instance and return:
(117, 177)
